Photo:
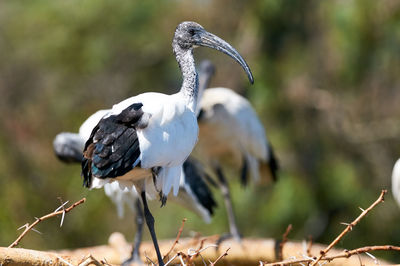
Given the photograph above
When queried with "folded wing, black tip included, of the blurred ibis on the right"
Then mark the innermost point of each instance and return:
(226, 110)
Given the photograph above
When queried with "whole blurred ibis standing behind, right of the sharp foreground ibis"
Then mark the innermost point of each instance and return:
(231, 135)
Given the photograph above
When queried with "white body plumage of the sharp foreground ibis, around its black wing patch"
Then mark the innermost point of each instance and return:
(166, 141)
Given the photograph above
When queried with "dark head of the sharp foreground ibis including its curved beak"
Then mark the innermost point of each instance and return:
(189, 35)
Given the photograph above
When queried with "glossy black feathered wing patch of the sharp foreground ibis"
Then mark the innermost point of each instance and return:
(112, 149)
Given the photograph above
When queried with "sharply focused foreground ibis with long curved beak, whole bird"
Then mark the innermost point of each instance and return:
(146, 138)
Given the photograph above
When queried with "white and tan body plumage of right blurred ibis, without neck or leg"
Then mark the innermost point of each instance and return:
(230, 131)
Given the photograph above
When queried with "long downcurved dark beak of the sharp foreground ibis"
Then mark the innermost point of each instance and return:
(204, 38)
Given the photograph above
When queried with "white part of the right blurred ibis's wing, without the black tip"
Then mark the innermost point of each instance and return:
(234, 120)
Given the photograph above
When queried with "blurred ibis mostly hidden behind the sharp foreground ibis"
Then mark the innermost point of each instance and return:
(194, 193)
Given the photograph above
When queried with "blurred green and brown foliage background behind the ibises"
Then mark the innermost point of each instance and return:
(327, 77)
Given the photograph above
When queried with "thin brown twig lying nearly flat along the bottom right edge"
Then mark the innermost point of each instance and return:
(345, 254)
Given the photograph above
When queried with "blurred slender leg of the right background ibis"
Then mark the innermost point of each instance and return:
(224, 187)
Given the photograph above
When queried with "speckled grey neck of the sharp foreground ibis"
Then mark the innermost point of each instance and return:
(190, 84)
